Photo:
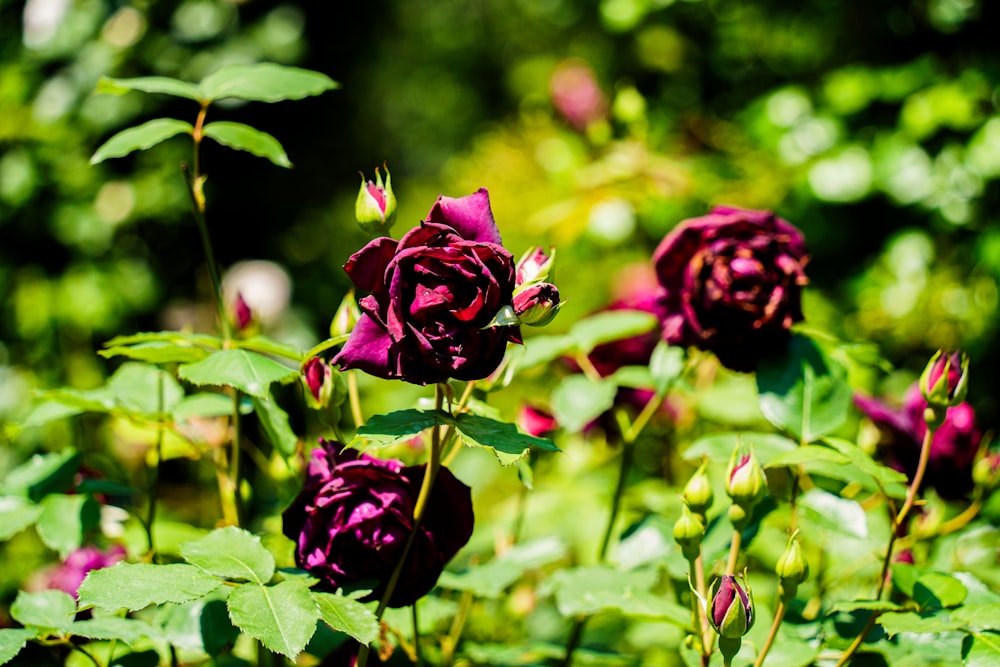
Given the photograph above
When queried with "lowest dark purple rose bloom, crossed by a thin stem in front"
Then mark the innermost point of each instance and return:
(355, 513)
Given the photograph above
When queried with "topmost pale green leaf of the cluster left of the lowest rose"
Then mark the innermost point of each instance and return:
(232, 553)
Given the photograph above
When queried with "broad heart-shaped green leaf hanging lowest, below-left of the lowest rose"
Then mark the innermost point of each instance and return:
(283, 617)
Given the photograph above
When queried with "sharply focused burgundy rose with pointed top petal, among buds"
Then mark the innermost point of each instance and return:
(432, 294)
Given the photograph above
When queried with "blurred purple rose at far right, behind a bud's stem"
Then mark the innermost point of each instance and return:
(953, 448)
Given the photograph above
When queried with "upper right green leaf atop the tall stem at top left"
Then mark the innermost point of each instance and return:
(264, 82)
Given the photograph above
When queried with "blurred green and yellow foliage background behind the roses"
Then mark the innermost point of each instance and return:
(596, 126)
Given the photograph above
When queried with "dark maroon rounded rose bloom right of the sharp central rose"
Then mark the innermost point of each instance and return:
(733, 280)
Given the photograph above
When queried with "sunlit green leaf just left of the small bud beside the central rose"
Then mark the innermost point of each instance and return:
(250, 372)
